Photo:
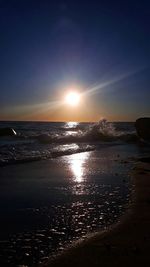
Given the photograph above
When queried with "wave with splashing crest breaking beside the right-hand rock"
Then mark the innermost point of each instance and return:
(100, 131)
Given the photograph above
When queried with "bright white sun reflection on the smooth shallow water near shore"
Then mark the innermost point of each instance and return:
(77, 164)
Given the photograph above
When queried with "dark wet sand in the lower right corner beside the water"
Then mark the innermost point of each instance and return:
(126, 243)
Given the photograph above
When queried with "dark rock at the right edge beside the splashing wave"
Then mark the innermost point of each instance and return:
(142, 126)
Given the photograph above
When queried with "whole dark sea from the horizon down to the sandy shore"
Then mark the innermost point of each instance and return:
(60, 182)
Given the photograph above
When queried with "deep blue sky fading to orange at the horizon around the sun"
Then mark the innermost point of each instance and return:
(100, 49)
